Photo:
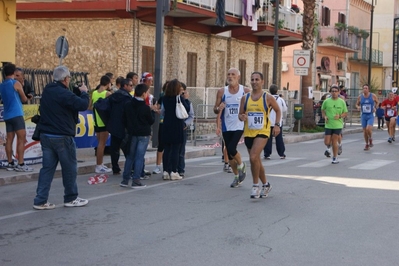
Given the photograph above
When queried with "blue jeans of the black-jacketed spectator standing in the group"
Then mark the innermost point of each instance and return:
(135, 158)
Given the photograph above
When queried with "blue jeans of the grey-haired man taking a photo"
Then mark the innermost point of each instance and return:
(57, 149)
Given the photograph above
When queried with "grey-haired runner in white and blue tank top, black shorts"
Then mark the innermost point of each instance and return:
(228, 102)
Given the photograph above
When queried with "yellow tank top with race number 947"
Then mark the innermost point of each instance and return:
(258, 122)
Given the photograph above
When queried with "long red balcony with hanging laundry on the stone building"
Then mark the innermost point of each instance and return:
(200, 16)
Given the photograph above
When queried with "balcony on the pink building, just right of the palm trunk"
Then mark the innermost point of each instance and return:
(339, 40)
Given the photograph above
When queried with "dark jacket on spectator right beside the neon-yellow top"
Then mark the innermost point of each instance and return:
(118, 100)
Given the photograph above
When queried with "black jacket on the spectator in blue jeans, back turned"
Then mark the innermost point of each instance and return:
(138, 118)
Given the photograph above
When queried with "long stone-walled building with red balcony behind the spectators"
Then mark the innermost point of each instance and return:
(118, 36)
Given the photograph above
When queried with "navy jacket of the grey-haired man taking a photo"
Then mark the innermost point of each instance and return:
(59, 109)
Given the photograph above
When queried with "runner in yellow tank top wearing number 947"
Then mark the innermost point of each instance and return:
(254, 111)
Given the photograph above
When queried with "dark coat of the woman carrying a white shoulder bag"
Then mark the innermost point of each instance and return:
(172, 129)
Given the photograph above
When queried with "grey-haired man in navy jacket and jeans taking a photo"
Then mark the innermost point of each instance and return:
(59, 109)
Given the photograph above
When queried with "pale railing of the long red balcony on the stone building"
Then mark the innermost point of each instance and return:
(288, 19)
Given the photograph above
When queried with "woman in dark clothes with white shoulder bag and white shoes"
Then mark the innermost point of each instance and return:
(172, 135)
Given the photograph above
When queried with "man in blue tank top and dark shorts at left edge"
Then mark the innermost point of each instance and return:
(13, 96)
